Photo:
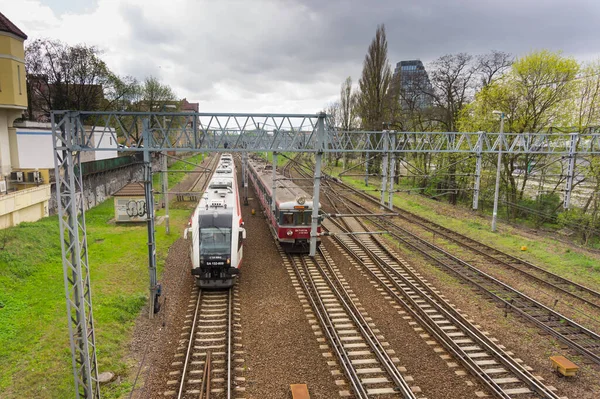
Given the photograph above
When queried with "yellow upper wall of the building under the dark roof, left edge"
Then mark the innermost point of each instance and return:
(13, 88)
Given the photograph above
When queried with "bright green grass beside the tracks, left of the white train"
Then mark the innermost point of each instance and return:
(35, 356)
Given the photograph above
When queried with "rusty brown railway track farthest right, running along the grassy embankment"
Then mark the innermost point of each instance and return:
(497, 257)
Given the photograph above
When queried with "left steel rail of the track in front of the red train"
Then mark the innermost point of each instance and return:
(327, 324)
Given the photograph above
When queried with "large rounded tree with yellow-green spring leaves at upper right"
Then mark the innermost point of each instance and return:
(535, 94)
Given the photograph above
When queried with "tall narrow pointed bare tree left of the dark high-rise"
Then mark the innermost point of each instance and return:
(374, 82)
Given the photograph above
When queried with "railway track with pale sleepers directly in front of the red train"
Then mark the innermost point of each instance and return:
(360, 351)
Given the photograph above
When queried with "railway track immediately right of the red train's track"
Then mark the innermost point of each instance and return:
(486, 361)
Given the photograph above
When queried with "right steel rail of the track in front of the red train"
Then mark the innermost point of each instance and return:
(362, 324)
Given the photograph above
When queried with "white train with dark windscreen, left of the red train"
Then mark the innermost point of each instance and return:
(216, 229)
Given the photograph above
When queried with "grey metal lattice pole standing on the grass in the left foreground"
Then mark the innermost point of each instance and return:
(71, 216)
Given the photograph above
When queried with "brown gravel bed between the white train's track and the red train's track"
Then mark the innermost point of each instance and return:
(281, 348)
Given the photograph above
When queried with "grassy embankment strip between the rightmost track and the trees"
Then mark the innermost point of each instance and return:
(553, 255)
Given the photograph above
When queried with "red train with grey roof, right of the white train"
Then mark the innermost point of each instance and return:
(290, 223)
